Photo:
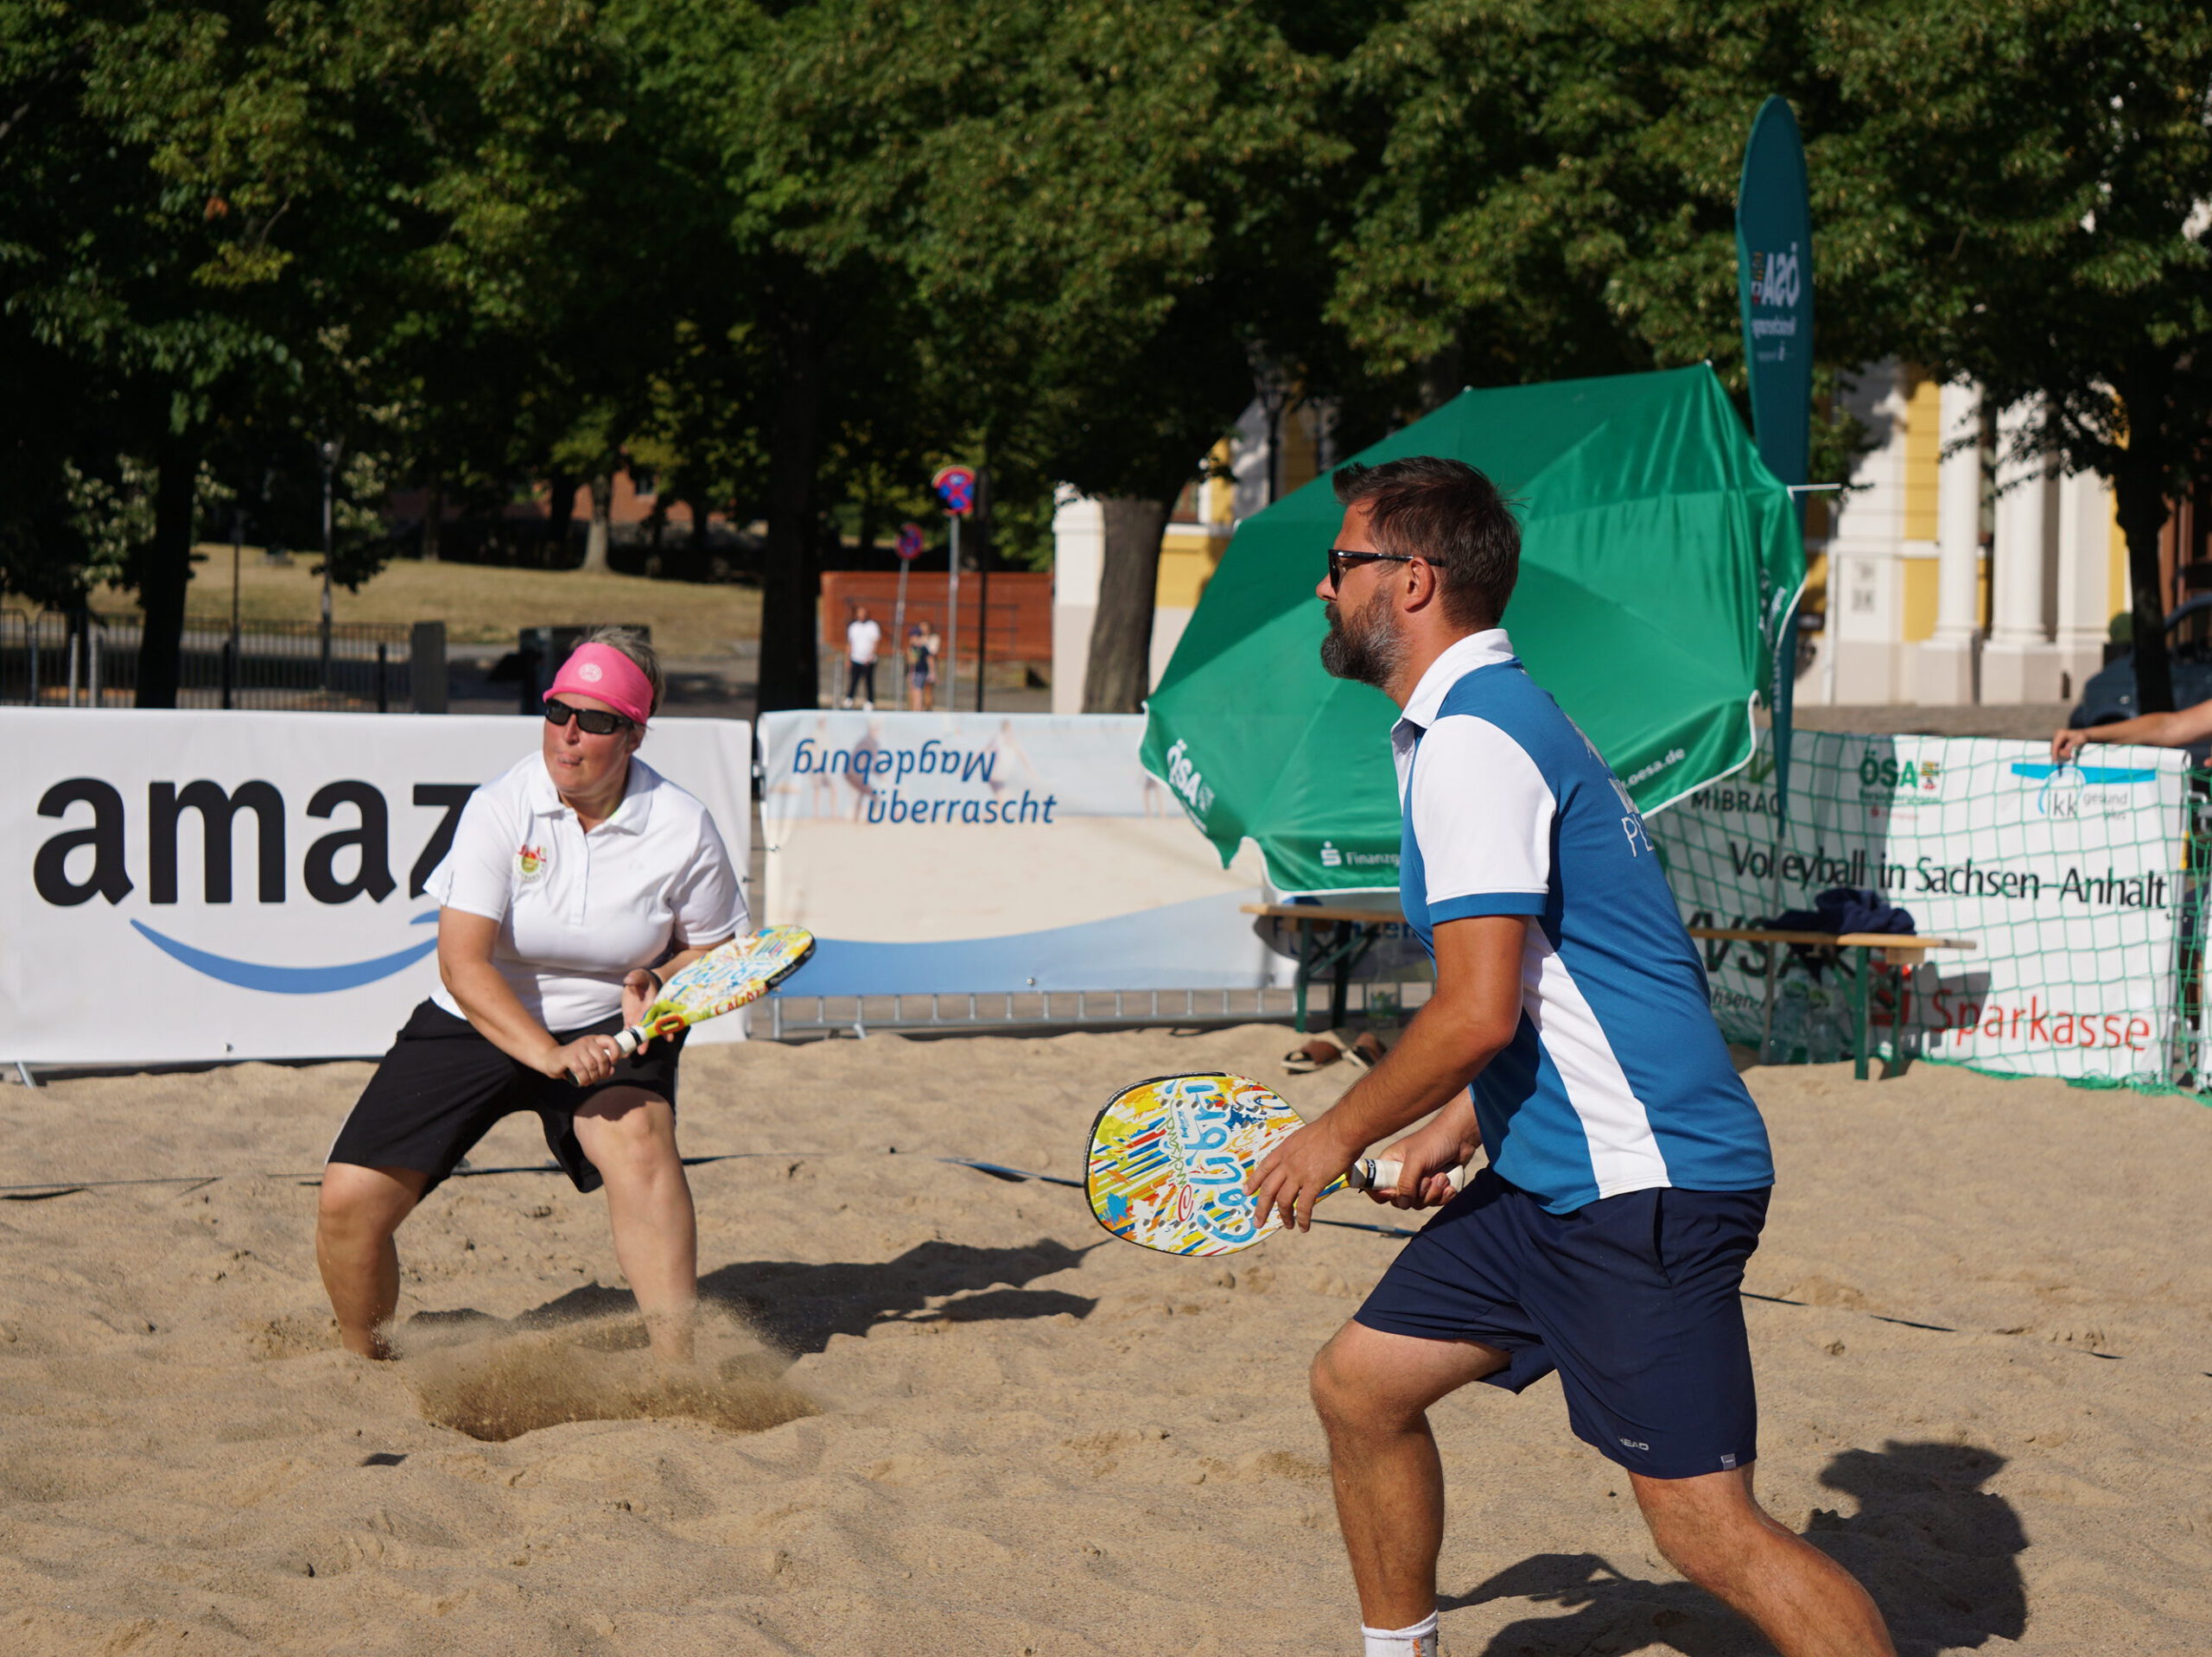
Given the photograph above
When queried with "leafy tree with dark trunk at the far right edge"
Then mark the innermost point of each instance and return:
(2045, 169)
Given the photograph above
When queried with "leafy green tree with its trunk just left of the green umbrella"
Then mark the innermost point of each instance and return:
(1098, 211)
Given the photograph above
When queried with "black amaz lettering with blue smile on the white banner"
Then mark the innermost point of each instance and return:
(90, 857)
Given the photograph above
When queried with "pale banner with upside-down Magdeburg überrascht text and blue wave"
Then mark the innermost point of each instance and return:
(994, 853)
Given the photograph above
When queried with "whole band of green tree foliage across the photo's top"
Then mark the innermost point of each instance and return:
(795, 256)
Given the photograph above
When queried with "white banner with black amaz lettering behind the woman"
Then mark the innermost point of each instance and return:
(229, 886)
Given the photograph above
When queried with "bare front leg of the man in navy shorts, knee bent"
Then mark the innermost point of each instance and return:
(1375, 1393)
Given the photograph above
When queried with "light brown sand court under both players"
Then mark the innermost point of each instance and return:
(941, 1413)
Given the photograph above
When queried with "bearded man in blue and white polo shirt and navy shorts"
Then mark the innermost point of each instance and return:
(1572, 1039)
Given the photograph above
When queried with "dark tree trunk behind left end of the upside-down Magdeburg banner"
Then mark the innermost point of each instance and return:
(791, 581)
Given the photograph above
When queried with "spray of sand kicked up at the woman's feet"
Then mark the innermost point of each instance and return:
(494, 1382)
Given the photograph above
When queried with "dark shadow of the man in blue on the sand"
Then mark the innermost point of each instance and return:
(1939, 1554)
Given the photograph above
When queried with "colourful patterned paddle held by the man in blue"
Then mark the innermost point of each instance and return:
(1169, 1160)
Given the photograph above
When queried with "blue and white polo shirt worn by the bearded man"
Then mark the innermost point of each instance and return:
(1618, 1078)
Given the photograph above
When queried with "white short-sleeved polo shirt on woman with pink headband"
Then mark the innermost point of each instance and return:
(578, 913)
